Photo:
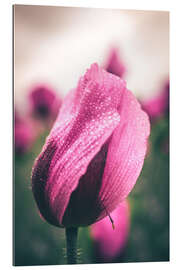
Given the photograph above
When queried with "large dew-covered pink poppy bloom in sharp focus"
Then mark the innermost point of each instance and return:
(93, 154)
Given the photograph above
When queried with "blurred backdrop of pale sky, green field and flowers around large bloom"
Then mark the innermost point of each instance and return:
(53, 46)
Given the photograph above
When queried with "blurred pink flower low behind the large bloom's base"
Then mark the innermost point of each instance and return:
(110, 243)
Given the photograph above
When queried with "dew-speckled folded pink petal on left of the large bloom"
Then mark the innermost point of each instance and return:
(86, 120)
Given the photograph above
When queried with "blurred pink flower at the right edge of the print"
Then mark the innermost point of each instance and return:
(158, 105)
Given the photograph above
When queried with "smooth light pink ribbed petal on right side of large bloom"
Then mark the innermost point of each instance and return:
(126, 153)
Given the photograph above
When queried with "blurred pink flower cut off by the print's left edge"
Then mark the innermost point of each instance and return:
(24, 134)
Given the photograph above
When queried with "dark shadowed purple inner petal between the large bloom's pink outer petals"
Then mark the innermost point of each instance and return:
(84, 207)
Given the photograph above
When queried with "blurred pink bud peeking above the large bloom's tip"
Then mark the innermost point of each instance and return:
(114, 64)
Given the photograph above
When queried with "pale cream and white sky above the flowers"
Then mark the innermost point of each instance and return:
(55, 45)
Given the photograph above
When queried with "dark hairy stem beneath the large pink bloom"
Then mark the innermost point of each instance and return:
(71, 242)
